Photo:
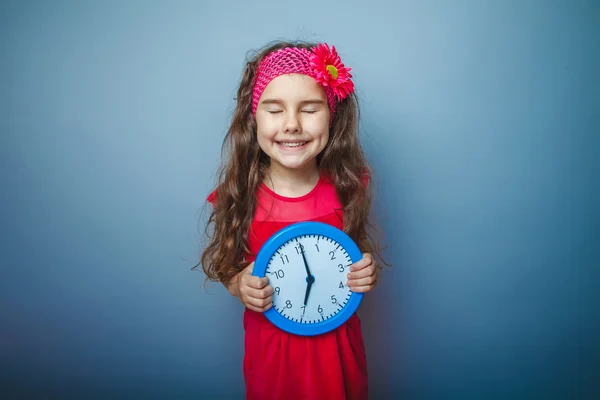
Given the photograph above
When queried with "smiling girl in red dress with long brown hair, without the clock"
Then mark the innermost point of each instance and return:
(294, 155)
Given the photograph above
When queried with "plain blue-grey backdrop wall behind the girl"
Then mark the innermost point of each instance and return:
(479, 117)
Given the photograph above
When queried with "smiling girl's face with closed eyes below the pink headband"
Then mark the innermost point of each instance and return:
(292, 121)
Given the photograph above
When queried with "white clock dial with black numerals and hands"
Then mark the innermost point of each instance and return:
(328, 263)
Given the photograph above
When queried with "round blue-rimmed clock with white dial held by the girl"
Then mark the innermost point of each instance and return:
(307, 264)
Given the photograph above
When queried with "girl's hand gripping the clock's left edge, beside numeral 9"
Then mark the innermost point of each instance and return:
(255, 293)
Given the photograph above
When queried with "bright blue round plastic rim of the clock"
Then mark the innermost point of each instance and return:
(301, 229)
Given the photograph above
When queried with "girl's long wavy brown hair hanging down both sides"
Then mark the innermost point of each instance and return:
(244, 167)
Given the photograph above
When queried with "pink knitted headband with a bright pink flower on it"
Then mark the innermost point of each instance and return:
(320, 63)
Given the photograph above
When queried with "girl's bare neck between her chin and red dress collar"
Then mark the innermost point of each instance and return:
(292, 182)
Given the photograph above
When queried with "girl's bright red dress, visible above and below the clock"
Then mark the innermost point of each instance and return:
(280, 365)
